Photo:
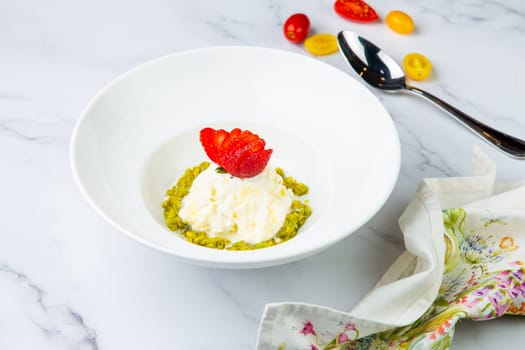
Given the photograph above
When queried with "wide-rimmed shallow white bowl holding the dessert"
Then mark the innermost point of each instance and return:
(140, 133)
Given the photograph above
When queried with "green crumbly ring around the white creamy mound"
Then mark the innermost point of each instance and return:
(297, 215)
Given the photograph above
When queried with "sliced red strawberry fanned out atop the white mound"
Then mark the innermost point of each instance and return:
(240, 152)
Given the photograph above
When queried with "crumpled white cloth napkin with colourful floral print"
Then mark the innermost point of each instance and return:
(464, 259)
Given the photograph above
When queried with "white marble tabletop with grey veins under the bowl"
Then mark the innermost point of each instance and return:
(70, 281)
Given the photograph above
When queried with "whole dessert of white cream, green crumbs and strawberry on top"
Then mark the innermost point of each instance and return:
(242, 204)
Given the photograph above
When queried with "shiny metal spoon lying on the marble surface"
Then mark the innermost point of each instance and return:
(379, 70)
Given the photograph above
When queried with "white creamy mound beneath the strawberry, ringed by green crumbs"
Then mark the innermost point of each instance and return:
(250, 210)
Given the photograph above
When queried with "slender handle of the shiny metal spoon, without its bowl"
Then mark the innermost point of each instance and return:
(511, 145)
